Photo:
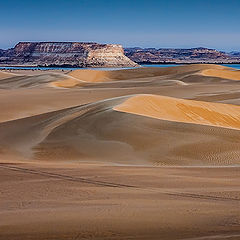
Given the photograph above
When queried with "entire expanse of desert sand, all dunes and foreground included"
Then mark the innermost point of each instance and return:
(146, 153)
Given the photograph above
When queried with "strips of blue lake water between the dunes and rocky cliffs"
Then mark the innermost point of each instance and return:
(236, 66)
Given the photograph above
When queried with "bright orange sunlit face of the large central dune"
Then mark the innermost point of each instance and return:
(180, 110)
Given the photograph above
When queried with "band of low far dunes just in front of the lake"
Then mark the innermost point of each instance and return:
(138, 77)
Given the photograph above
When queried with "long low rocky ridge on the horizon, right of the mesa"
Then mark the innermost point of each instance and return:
(171, 55)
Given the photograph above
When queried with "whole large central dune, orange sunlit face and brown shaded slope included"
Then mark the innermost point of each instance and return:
(175, 135)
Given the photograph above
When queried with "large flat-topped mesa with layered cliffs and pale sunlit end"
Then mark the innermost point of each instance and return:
(76, 54)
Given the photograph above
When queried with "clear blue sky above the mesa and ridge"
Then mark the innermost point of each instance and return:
(144, 23)
